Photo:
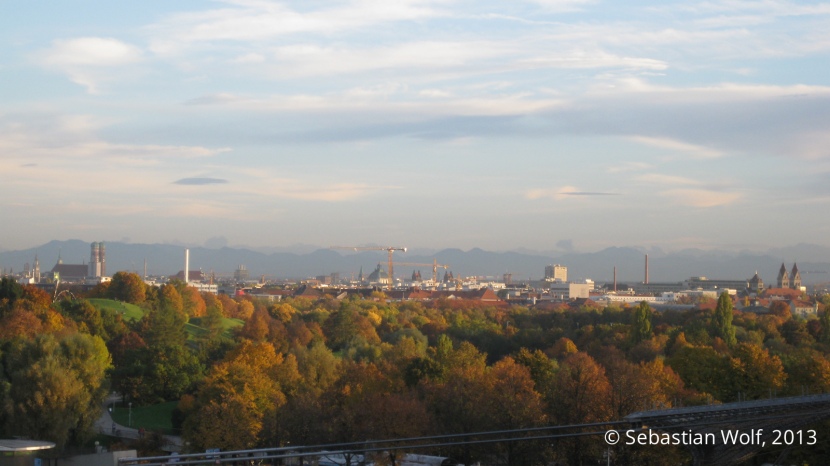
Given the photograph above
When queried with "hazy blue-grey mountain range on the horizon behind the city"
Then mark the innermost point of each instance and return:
(165, 259)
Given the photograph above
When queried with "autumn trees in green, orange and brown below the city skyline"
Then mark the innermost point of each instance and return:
(302, 371)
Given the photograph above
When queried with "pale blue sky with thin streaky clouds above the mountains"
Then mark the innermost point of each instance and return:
(538, 124)
